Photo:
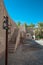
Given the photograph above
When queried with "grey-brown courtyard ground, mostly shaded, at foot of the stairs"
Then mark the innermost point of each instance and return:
(26, 54)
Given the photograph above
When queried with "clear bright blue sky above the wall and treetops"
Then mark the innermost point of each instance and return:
(25, 10)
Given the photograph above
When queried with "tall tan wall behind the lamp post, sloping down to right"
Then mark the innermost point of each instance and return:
(3, 12)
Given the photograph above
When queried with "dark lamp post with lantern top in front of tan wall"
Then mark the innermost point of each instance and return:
(5, 26)
